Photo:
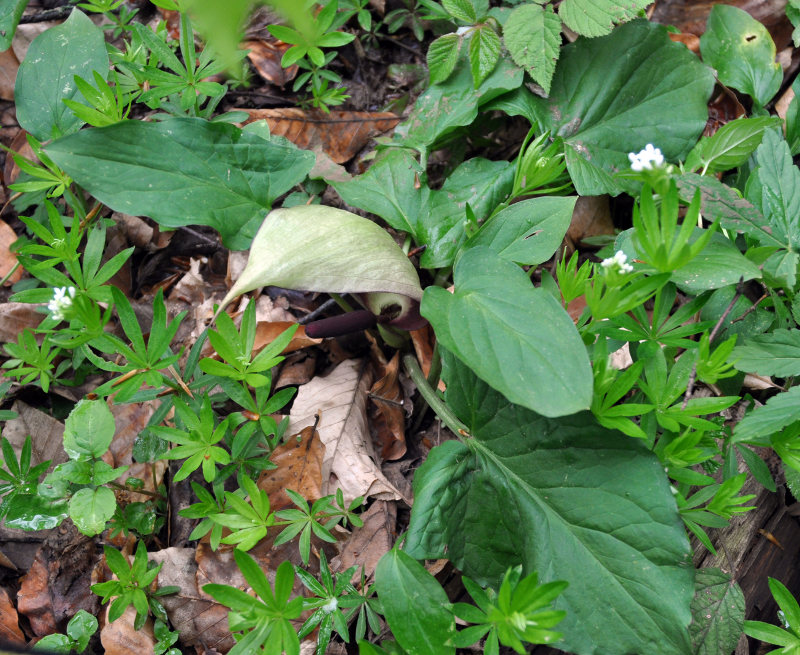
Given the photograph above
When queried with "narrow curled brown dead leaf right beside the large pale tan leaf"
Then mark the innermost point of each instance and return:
(387, 413)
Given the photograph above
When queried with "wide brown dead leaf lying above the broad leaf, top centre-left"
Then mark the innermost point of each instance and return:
(340, 134)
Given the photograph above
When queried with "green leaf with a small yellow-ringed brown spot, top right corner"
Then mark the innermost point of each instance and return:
(742, 51)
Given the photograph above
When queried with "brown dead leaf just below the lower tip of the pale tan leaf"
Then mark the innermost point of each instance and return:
(367, 544)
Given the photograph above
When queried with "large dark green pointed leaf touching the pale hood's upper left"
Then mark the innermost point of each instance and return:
(184, 171)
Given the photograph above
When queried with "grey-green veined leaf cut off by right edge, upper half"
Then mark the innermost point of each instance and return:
(774, 187)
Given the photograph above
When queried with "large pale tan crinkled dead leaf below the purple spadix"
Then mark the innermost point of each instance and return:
(350, 462)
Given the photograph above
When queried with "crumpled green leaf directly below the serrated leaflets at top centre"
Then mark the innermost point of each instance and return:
(446, 107)
